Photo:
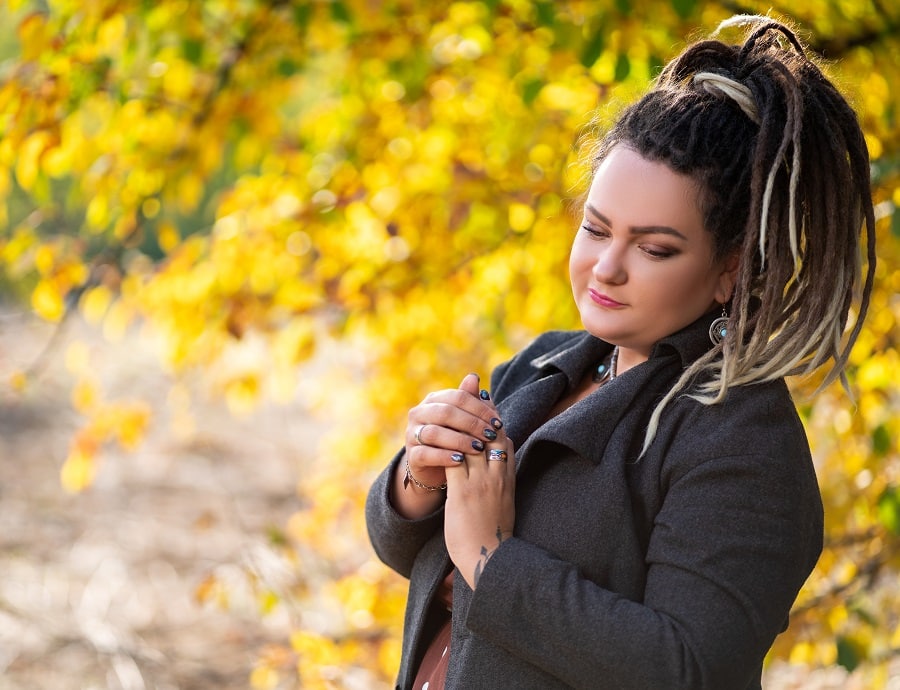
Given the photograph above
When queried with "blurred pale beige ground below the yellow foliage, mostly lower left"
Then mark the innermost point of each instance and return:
(98, 590)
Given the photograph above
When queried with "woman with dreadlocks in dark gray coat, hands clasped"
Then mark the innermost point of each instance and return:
(634, 505)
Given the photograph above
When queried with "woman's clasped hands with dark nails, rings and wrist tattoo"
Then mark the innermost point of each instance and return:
(455, 437)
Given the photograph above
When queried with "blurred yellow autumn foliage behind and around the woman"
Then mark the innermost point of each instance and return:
(246, 183)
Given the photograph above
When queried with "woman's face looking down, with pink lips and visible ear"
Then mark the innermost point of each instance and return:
(642, 264)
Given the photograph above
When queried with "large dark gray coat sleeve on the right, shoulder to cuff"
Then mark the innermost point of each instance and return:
(734, 538)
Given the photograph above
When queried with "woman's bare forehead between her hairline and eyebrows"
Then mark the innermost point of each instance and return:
(631, 190)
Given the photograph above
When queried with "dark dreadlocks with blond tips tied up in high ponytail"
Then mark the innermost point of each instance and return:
(783, 174)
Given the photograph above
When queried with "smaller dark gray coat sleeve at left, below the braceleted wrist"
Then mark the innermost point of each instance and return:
(396, 540)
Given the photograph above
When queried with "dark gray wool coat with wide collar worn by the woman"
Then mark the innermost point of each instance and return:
(675, 570)
